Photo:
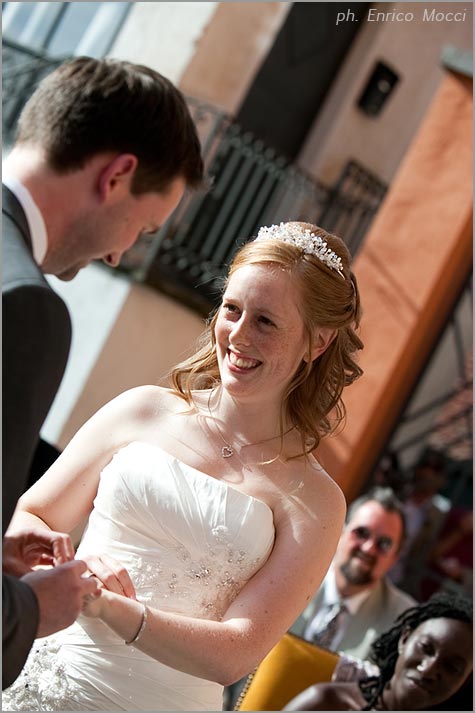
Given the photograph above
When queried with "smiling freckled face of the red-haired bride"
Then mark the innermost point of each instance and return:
(260, 335)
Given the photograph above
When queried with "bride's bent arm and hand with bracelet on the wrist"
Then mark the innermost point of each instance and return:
(266, 607)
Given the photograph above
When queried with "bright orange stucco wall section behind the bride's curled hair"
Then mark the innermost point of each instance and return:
(415, 259)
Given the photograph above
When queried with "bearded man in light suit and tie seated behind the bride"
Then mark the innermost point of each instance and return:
(356, 602)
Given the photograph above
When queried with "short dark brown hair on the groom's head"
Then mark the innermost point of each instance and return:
(89, 106)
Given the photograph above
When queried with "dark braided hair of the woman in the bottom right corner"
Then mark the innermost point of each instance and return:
(384, 650)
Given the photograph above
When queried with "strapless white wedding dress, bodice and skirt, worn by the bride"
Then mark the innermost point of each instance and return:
(190, 542)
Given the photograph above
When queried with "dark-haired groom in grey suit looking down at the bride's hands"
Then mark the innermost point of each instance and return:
(104, 151)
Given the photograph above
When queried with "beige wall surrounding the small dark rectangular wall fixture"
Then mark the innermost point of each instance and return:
(412, 49)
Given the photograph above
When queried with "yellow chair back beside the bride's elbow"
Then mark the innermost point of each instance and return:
(291, 666)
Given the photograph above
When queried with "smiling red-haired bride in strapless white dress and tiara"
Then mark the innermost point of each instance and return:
(211, 524)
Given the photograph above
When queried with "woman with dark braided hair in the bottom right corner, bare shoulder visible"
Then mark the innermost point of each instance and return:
(423, 660)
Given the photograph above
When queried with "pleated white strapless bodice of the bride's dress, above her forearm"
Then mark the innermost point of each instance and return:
(195, 540)
